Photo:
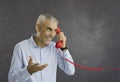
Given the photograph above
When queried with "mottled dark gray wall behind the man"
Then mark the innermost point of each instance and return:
(92, 28)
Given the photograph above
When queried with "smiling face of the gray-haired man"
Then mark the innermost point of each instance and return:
(47, 32)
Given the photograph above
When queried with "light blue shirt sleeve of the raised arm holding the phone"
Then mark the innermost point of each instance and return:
(64, 65)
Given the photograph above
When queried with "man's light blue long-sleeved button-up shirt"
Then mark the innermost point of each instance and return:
(48, 55)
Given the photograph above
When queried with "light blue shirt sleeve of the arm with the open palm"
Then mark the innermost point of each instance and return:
(17, 72)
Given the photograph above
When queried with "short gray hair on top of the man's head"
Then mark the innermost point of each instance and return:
(43, 17)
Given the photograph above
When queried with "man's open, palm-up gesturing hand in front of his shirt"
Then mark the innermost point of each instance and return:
(34, 67)
